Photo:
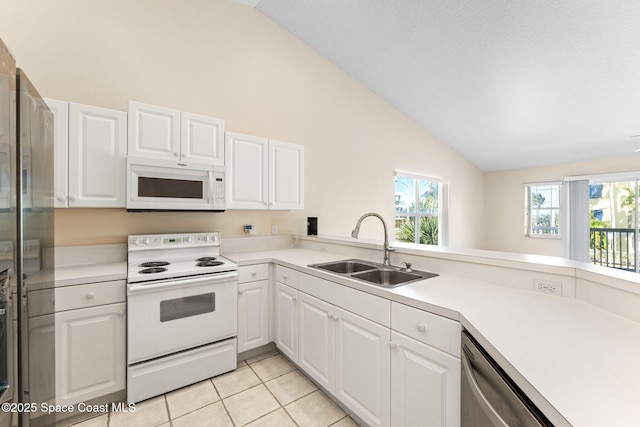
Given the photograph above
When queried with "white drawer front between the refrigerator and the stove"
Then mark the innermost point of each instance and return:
(90, 295)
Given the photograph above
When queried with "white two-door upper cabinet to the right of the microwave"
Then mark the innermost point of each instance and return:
(263, 173)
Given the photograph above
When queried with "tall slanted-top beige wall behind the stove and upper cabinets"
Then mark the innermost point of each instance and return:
(218, 58)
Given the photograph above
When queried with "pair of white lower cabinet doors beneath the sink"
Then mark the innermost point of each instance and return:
(347, 355)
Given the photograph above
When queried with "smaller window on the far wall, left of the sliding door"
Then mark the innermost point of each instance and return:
(542, 213)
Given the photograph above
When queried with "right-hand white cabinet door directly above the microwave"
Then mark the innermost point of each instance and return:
(202, 139)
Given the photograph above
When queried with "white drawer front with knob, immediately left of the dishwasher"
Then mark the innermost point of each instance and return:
(437, 331)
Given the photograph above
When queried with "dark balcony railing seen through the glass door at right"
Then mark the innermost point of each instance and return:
(613, 247)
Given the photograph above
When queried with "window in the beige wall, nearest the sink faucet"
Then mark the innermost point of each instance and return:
(420, 206)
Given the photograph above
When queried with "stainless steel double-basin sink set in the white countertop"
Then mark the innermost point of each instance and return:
(373, 273)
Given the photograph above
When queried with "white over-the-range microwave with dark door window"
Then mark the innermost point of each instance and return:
(163, 185)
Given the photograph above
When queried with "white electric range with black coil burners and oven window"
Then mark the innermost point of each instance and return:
(181, 312)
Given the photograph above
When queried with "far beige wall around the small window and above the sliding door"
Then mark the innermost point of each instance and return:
(505, 203)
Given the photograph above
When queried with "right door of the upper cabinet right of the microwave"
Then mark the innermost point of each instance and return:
(286, 175)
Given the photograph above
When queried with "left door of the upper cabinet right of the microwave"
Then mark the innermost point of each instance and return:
(247, 159)
